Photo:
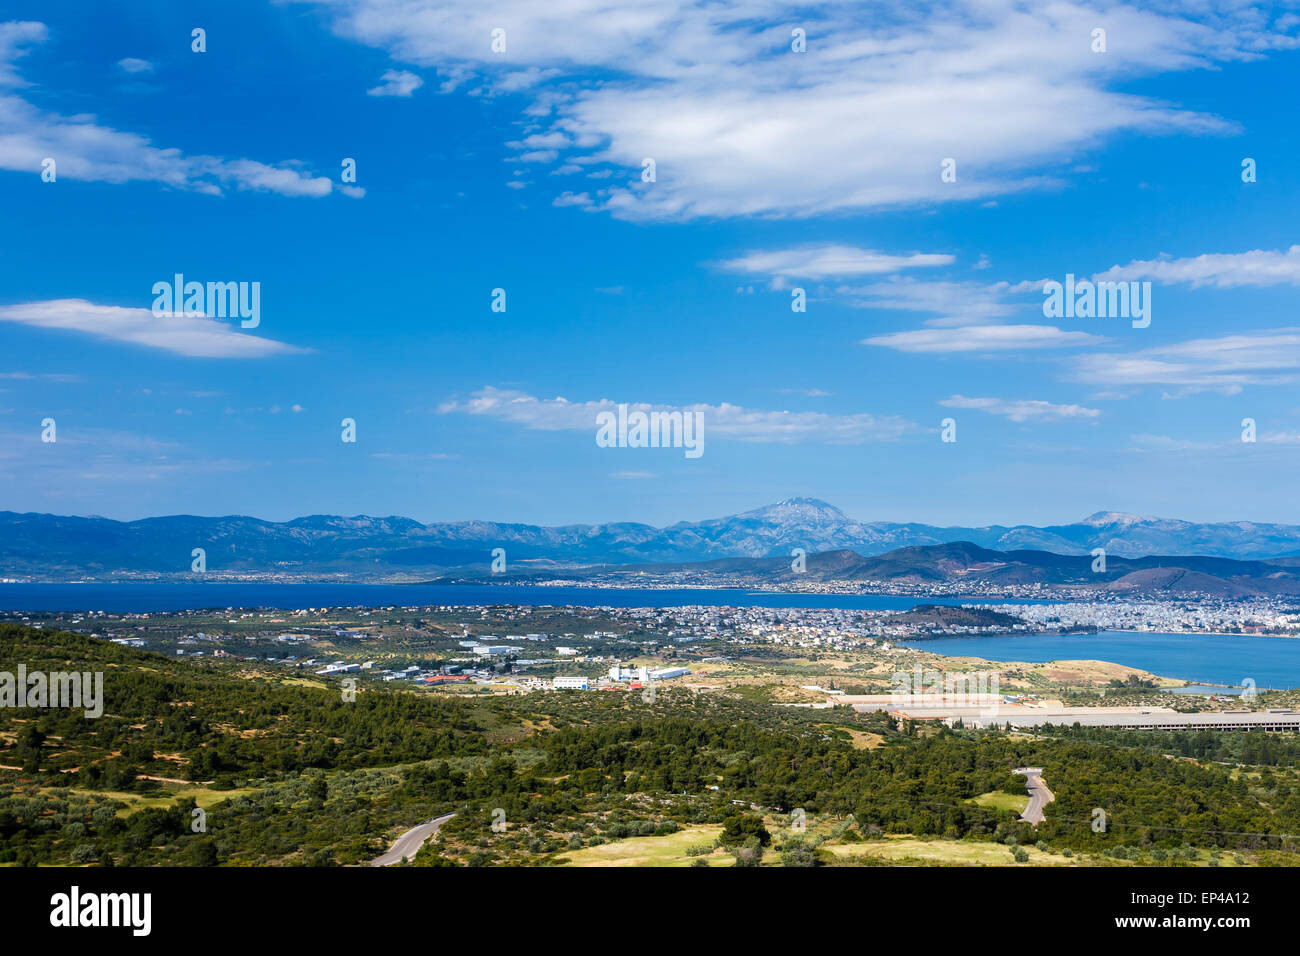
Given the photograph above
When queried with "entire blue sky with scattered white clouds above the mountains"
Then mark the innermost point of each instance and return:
(523, 171)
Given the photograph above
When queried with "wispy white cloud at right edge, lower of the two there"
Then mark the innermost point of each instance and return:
(1227, 365)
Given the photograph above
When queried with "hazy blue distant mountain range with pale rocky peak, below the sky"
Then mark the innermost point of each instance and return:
(38, 547)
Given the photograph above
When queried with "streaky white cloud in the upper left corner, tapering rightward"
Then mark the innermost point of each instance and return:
(84, 150)
